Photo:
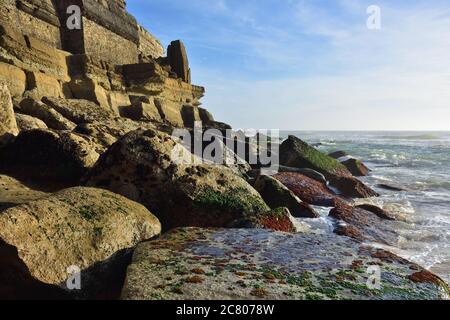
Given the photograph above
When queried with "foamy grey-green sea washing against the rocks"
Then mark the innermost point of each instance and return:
(416, 161)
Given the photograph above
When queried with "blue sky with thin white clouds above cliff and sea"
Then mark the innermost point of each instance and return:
(313, 64)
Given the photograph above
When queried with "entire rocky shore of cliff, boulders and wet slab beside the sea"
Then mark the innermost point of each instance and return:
(88, 182)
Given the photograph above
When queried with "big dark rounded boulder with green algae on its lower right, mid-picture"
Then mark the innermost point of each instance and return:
(150, 167)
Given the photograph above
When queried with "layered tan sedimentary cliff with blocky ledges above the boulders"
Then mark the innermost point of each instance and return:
(110, 60)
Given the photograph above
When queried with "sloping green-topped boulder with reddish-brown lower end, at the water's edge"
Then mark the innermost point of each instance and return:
(297, 153)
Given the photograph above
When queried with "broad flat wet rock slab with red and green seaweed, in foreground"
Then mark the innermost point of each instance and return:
(203, 264)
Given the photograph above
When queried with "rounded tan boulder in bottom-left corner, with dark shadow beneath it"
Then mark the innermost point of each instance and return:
(87, 228)
